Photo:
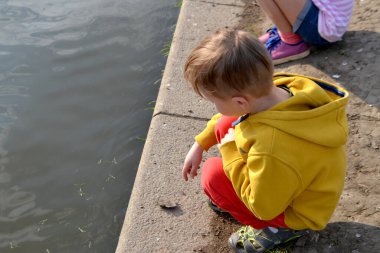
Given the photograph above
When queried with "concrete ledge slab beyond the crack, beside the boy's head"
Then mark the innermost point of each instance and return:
(196, 20)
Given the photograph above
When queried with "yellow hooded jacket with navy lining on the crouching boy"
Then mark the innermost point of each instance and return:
(290, 158)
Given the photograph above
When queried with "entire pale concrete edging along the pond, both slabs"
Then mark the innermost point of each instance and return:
(166, 214)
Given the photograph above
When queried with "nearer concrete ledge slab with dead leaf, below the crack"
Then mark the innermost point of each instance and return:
(149, 227)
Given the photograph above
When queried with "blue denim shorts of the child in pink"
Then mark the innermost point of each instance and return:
(306, 25)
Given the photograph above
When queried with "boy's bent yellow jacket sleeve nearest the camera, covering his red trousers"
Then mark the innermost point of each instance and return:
(264, 184)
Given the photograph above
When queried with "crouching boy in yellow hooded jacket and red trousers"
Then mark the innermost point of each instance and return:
(281, 140)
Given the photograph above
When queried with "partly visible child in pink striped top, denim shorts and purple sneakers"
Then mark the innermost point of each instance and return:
(300, 23)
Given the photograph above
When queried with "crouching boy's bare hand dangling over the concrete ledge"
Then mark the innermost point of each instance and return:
(192, 161)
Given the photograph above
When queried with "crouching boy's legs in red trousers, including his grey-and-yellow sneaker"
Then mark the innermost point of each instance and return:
(256, 234)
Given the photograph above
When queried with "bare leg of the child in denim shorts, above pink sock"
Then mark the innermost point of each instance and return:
(283, 13)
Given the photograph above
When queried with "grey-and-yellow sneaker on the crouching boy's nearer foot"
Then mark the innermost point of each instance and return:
(248, 239)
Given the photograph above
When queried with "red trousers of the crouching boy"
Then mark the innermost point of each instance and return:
(219, 189)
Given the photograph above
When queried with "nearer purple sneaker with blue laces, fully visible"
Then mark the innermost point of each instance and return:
(282, 52)
